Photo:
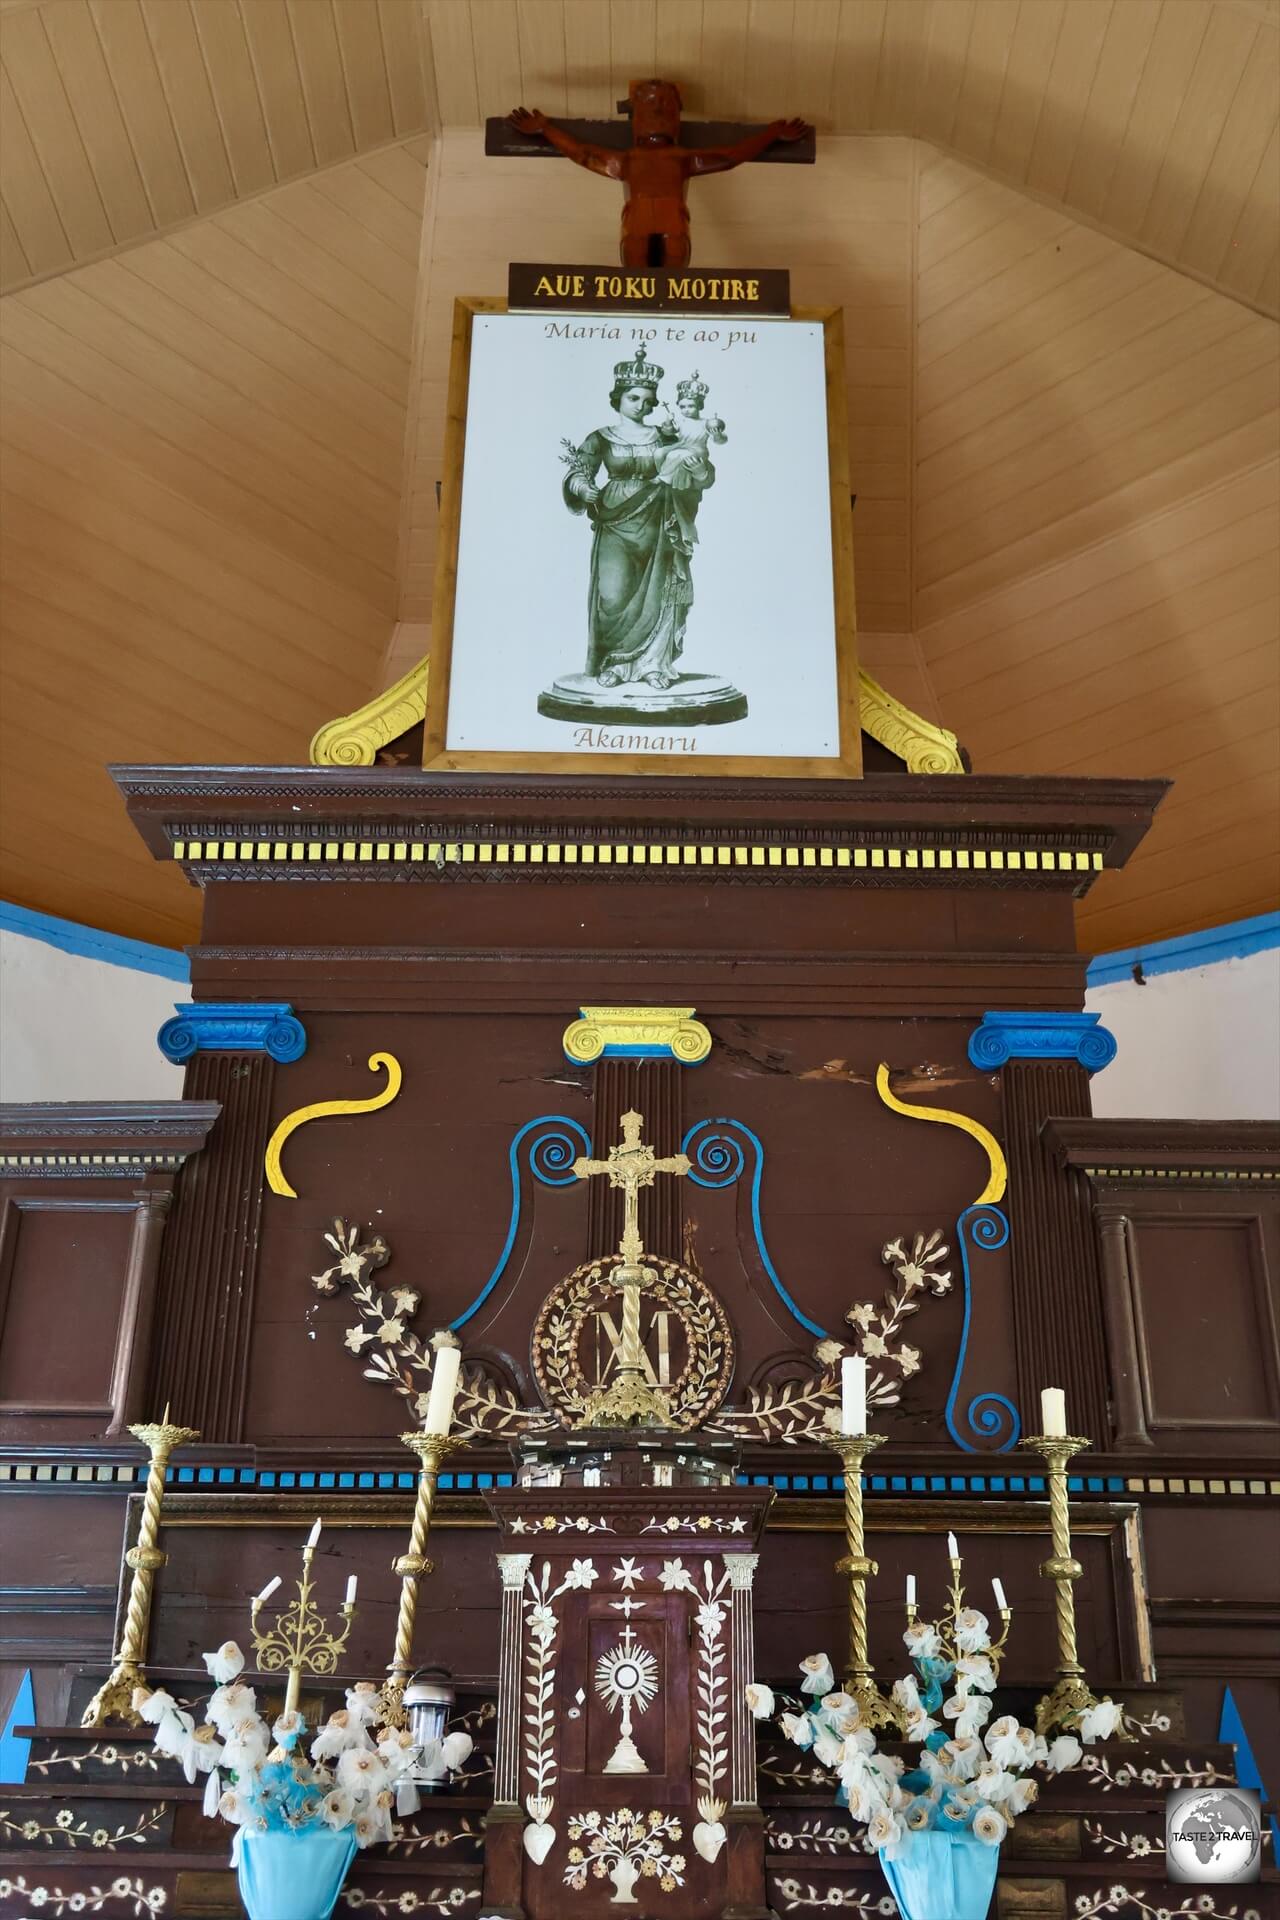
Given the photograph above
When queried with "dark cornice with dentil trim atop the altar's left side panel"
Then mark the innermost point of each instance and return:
(122, 1140)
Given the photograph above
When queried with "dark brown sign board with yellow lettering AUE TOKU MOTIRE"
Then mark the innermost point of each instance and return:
(742, 291)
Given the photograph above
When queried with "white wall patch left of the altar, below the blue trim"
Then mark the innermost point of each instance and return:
(76, 1028)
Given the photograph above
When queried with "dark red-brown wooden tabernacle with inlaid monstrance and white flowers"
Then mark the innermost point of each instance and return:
(623, 1725)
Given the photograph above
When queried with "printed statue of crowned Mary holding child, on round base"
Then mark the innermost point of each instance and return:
(640, 485)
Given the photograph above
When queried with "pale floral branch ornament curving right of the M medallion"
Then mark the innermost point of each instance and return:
(799, 1412)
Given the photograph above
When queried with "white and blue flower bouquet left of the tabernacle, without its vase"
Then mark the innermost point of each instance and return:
(350, 1781)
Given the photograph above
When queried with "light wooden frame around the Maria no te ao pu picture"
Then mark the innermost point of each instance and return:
(439, 757)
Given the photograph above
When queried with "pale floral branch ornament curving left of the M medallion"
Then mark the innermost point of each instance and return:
(392, 1355)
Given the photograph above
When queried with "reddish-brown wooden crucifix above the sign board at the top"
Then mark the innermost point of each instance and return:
(657, 166)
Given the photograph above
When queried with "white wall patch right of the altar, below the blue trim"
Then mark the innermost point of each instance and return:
(1202, 1044)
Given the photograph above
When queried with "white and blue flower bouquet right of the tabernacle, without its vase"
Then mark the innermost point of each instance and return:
(976, 1767)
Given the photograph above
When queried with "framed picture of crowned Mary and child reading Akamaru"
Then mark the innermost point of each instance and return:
(646, 550)
